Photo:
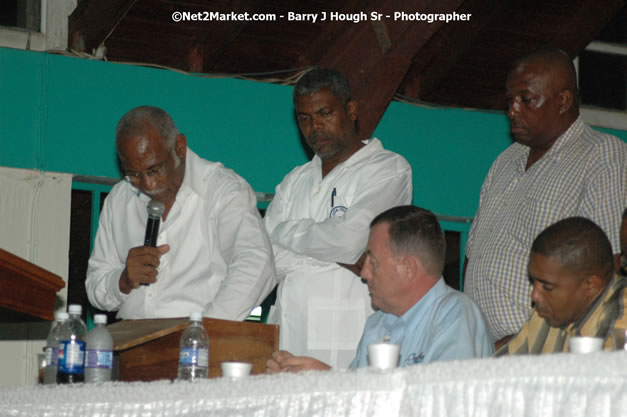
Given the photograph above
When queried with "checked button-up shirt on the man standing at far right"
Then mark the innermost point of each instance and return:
(583, 174)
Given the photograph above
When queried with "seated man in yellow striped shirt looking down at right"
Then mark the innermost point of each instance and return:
(575, 289)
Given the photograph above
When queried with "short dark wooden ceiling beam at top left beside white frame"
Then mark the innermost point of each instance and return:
(93, 20)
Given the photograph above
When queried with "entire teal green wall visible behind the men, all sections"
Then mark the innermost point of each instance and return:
(59, 114)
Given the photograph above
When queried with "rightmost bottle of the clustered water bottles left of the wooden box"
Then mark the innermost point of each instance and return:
(99, 360)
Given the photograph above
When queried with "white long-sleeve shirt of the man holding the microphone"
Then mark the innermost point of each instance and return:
(220, 258)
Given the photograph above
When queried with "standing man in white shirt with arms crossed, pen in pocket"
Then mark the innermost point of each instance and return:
(319, 219)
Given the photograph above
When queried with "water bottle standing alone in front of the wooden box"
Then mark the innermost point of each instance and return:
(194, 353)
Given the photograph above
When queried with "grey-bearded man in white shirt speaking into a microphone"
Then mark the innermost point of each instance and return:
(212, 253)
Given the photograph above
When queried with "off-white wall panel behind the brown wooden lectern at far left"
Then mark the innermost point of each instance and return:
(35, 225)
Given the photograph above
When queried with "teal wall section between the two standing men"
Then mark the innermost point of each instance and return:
(450, 151)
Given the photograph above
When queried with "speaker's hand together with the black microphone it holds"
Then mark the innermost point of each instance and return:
(142, 261)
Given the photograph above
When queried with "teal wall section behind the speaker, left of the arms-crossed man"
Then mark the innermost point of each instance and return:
(59, 114)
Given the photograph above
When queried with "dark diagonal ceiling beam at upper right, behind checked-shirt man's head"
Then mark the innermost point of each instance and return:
(477, 79)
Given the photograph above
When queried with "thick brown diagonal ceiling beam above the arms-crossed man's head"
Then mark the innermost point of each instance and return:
(380, 54)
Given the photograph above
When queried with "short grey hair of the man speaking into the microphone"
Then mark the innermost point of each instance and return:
(134, 122)
